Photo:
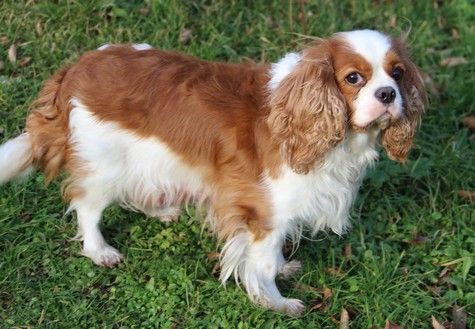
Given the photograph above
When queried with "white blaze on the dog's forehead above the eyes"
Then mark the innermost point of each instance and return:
(372, 45)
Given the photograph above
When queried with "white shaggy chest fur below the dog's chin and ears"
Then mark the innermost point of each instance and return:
(323, 198)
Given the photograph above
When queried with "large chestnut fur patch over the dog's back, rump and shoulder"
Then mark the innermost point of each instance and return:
(210, 114)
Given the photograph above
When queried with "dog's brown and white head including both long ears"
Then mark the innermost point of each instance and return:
(352, 80)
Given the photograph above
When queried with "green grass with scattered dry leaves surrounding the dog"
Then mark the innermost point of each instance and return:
(413, 239)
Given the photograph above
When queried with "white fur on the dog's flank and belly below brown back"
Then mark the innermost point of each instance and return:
(141, 173)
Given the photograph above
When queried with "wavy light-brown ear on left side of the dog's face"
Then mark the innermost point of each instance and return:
(308, 111)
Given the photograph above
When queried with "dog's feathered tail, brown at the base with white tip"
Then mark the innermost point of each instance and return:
(44, 143)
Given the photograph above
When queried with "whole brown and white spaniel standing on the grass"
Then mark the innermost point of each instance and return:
(268, 148)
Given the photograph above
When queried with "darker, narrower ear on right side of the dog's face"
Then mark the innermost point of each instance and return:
(397, 138)
